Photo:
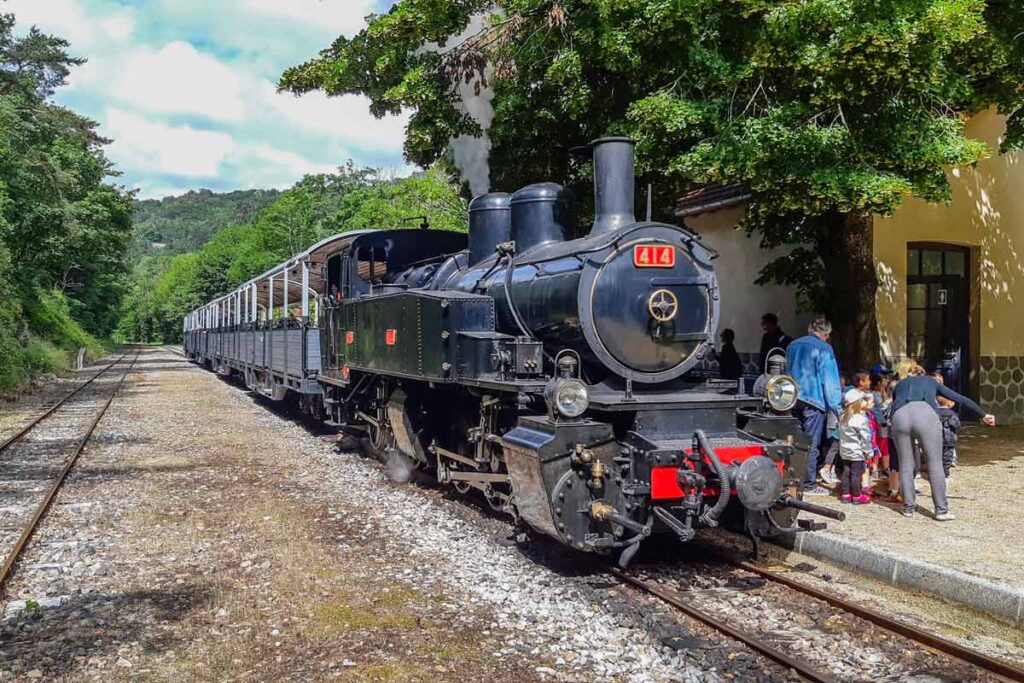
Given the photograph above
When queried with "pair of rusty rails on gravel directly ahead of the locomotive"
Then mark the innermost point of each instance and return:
(808, 670)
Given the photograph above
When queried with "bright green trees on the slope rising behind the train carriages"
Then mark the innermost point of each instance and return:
(165, 288)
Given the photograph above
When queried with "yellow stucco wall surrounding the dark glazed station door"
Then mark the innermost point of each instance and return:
(988, 214)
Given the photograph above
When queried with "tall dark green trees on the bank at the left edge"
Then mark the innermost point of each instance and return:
(65, 226)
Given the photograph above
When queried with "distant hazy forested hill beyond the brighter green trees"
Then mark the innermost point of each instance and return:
(179, 225)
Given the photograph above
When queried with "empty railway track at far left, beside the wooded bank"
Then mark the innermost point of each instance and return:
(37, 460)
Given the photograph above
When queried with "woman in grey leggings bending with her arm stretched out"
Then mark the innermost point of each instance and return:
(915, 417)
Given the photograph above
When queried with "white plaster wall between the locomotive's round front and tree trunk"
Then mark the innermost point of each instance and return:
(741, 260)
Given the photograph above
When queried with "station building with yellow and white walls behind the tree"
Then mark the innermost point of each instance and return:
(951, 277)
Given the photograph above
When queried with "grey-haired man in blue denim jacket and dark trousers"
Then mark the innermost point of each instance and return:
(813, 364)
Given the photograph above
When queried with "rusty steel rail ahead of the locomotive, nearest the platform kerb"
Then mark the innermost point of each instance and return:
(931, 641)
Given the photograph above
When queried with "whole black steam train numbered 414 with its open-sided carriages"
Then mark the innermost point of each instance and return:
(553, 376)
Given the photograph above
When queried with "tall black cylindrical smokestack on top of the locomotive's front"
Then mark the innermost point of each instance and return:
(614, 191)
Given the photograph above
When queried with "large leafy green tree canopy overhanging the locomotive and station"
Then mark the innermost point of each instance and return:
(825, 109)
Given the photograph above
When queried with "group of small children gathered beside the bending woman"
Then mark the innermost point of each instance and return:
(862, 450)
